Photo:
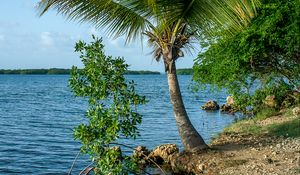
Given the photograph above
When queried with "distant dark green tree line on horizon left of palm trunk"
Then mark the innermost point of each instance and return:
(62, 71)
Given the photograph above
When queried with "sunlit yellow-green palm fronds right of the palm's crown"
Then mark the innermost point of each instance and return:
(209, 16)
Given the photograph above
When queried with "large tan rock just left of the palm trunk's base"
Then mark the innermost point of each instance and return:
(163, 153)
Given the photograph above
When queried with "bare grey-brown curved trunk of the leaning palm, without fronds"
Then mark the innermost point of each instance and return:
(190, 138)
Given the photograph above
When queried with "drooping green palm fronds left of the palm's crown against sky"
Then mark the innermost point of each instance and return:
(128, 18)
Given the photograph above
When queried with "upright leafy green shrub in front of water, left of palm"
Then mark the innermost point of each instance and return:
(112, 111)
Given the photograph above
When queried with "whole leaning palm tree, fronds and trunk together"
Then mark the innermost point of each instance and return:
(170, 25)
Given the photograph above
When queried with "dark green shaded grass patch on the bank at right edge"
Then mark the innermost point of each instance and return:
(288, 129)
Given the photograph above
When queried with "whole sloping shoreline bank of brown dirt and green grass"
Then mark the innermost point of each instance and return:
(250, 146)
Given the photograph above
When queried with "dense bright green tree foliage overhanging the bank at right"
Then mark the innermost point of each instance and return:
(264, 55)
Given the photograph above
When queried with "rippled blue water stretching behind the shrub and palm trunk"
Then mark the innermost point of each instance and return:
(38, 114)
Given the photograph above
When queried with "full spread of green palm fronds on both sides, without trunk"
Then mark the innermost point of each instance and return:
(131, 18)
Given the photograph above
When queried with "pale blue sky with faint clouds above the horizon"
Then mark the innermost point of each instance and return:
(28, 41)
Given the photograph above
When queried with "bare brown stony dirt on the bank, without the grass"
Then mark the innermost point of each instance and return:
(240, 154)
